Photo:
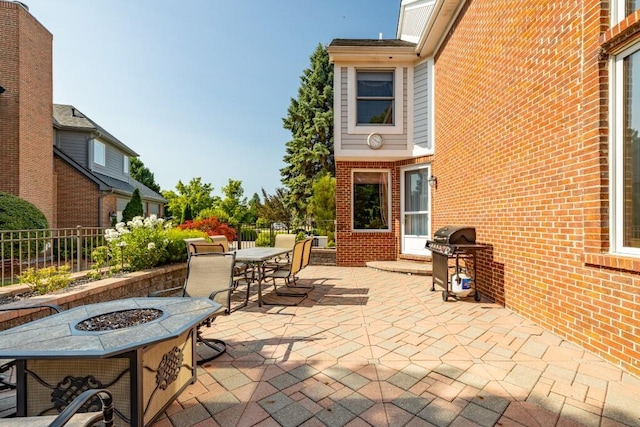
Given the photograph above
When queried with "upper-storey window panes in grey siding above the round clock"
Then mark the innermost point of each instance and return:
(375, 97)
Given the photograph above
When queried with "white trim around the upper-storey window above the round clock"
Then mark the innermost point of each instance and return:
(352, 92)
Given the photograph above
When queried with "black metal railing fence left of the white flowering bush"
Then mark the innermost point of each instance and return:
(23, 249)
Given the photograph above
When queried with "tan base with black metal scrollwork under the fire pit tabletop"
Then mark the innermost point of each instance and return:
(157, 374)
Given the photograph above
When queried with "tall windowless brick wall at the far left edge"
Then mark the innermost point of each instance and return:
(26, 108)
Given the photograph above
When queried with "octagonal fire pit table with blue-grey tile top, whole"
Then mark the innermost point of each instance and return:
(145, 366)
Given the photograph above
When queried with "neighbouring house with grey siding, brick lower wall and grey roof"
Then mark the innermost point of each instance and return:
(88, 157)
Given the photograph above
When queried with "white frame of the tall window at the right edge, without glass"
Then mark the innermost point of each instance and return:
(616, 161)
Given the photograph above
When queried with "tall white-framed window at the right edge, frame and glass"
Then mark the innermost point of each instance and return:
(625, 163)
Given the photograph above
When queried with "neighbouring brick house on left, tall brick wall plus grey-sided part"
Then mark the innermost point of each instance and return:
(54, 156)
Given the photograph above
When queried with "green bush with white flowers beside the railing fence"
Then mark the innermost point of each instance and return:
(137, 245)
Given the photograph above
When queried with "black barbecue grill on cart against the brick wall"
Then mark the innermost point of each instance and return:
(453, 250)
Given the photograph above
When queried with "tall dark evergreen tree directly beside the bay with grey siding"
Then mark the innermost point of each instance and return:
(309, 154)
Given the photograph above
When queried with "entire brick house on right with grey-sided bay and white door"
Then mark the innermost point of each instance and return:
(527, 114)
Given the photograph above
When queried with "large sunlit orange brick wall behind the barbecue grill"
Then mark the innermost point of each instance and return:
(521, 154)
